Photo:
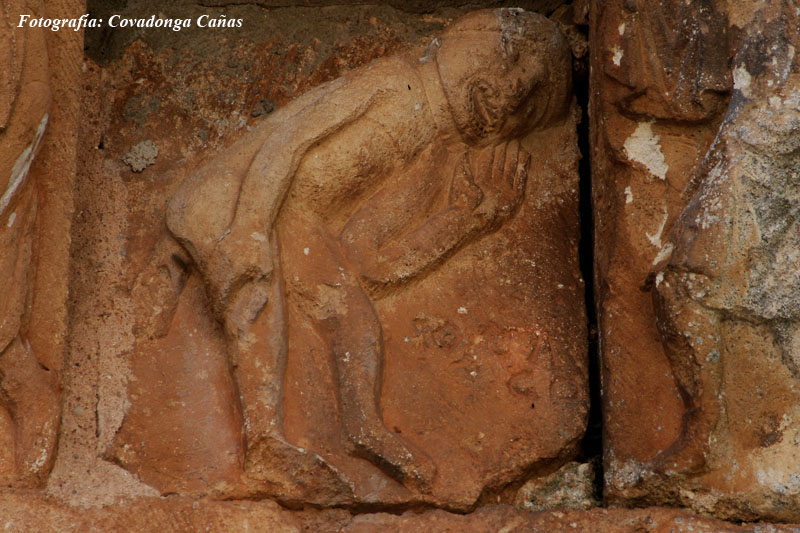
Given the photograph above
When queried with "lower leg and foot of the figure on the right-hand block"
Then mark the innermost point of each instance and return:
(690, 333)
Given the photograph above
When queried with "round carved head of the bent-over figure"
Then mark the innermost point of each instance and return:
(505, 72)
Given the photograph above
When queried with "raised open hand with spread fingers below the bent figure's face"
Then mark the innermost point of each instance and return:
(501, 173)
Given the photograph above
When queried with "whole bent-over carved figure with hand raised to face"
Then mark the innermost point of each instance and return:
(350, 193)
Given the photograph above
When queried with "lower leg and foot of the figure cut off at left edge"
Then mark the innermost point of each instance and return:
(34, 408)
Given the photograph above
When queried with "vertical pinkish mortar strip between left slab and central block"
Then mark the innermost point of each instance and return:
(95, 367)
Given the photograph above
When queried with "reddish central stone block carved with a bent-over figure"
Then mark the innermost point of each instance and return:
(360, 291)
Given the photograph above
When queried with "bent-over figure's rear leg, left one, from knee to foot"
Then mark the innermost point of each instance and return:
(256, 338)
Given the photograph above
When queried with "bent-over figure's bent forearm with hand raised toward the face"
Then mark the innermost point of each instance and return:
(486, 189)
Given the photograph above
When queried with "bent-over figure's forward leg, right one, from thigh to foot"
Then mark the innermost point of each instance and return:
(317, 269)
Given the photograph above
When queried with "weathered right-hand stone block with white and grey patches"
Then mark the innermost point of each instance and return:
(695, 209)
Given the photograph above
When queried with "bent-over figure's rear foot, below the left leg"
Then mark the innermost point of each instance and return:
(281, 469)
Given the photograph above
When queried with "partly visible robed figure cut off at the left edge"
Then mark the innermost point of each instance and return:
(29, 406)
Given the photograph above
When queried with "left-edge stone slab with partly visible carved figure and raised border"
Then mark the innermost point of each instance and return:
(38, 112)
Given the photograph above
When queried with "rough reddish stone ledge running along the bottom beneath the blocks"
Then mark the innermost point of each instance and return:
(20, 513)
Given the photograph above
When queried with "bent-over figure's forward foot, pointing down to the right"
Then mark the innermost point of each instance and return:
(394, 455)
